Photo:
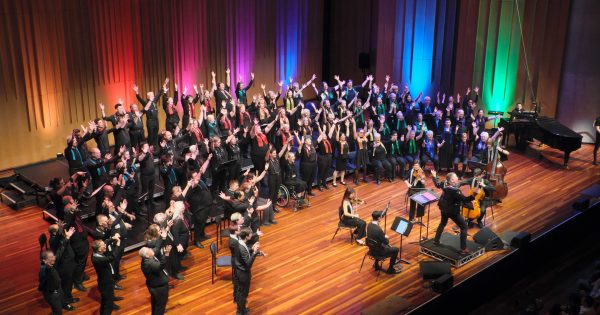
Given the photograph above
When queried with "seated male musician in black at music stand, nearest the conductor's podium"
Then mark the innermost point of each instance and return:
(379, 244)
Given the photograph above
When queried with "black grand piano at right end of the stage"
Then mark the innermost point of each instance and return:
(545, 129)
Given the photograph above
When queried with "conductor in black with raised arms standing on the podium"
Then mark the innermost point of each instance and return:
(450, 204)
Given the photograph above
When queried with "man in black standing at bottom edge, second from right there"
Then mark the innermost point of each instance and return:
(157, 278)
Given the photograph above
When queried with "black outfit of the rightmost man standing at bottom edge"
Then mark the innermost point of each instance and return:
(242, 264)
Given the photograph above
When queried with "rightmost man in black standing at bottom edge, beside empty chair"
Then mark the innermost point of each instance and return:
(243, 261)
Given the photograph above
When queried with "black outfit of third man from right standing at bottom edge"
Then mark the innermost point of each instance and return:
(106, 282)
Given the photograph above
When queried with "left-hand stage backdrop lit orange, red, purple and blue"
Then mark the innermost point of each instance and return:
(60, 58)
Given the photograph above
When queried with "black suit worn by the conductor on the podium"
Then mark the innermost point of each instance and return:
(450, 204)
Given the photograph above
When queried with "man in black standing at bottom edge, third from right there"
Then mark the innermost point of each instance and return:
(101, 259)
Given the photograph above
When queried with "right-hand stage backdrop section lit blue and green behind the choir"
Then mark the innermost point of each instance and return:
(449, 45)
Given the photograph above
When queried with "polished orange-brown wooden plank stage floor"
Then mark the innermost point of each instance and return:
(305, 272)
